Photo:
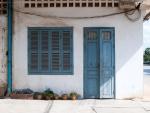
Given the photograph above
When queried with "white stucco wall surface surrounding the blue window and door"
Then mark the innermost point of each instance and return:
(128, 50)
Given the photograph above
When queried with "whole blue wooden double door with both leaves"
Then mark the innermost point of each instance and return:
(99, 63)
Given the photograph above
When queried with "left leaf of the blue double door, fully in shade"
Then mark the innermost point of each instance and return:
(91, 66)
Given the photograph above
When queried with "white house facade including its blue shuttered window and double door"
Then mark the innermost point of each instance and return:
(88, 47)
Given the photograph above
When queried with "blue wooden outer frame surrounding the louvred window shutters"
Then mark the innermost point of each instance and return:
(50, 29)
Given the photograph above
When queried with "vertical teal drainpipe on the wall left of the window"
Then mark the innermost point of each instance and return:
(9, 44)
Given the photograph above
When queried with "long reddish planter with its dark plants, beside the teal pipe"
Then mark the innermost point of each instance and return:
(22, 94)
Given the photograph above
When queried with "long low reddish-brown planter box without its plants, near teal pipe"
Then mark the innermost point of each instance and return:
(21, 96)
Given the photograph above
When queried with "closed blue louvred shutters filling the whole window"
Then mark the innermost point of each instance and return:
(50, 51)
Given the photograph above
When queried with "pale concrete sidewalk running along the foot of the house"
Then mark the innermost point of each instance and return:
(80, 106)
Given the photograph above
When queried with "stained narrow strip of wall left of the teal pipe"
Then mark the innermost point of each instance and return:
(3, 48)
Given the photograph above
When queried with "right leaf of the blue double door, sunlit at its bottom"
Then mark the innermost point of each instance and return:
(107, 64)
